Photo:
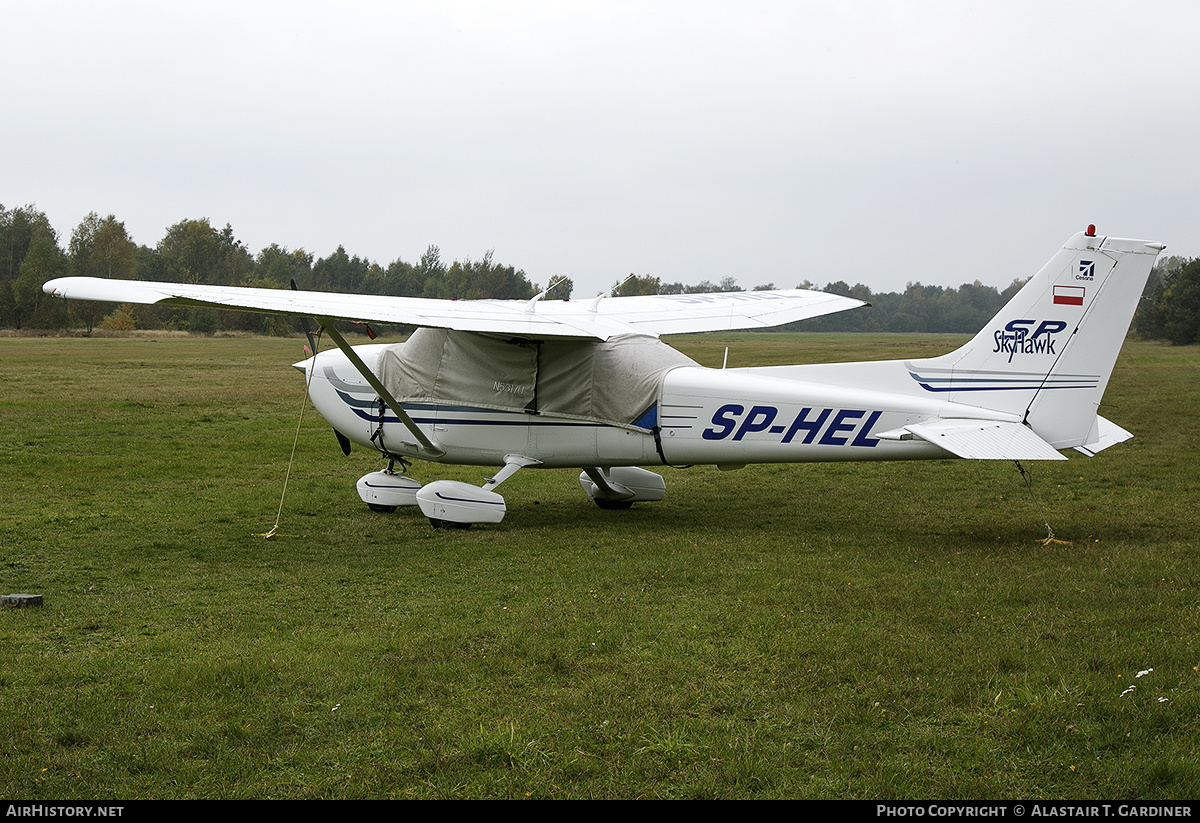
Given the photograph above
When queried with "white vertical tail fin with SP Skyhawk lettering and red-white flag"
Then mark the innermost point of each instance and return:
(1049, 353)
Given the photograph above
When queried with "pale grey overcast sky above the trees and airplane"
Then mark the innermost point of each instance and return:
(773, 142)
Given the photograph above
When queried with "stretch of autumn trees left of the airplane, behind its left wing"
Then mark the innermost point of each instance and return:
(194, 251)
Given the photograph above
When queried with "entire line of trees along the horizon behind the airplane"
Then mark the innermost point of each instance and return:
(194, 251)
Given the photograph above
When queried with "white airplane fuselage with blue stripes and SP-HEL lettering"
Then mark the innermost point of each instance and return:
(706, 417)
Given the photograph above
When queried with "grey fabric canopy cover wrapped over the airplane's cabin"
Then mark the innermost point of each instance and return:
(614, 382)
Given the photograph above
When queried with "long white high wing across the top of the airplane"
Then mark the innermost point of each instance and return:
(601, 319)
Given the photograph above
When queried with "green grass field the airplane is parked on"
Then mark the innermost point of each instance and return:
(787, 632)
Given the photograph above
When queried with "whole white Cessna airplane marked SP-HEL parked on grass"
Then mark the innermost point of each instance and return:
(590, 386)
